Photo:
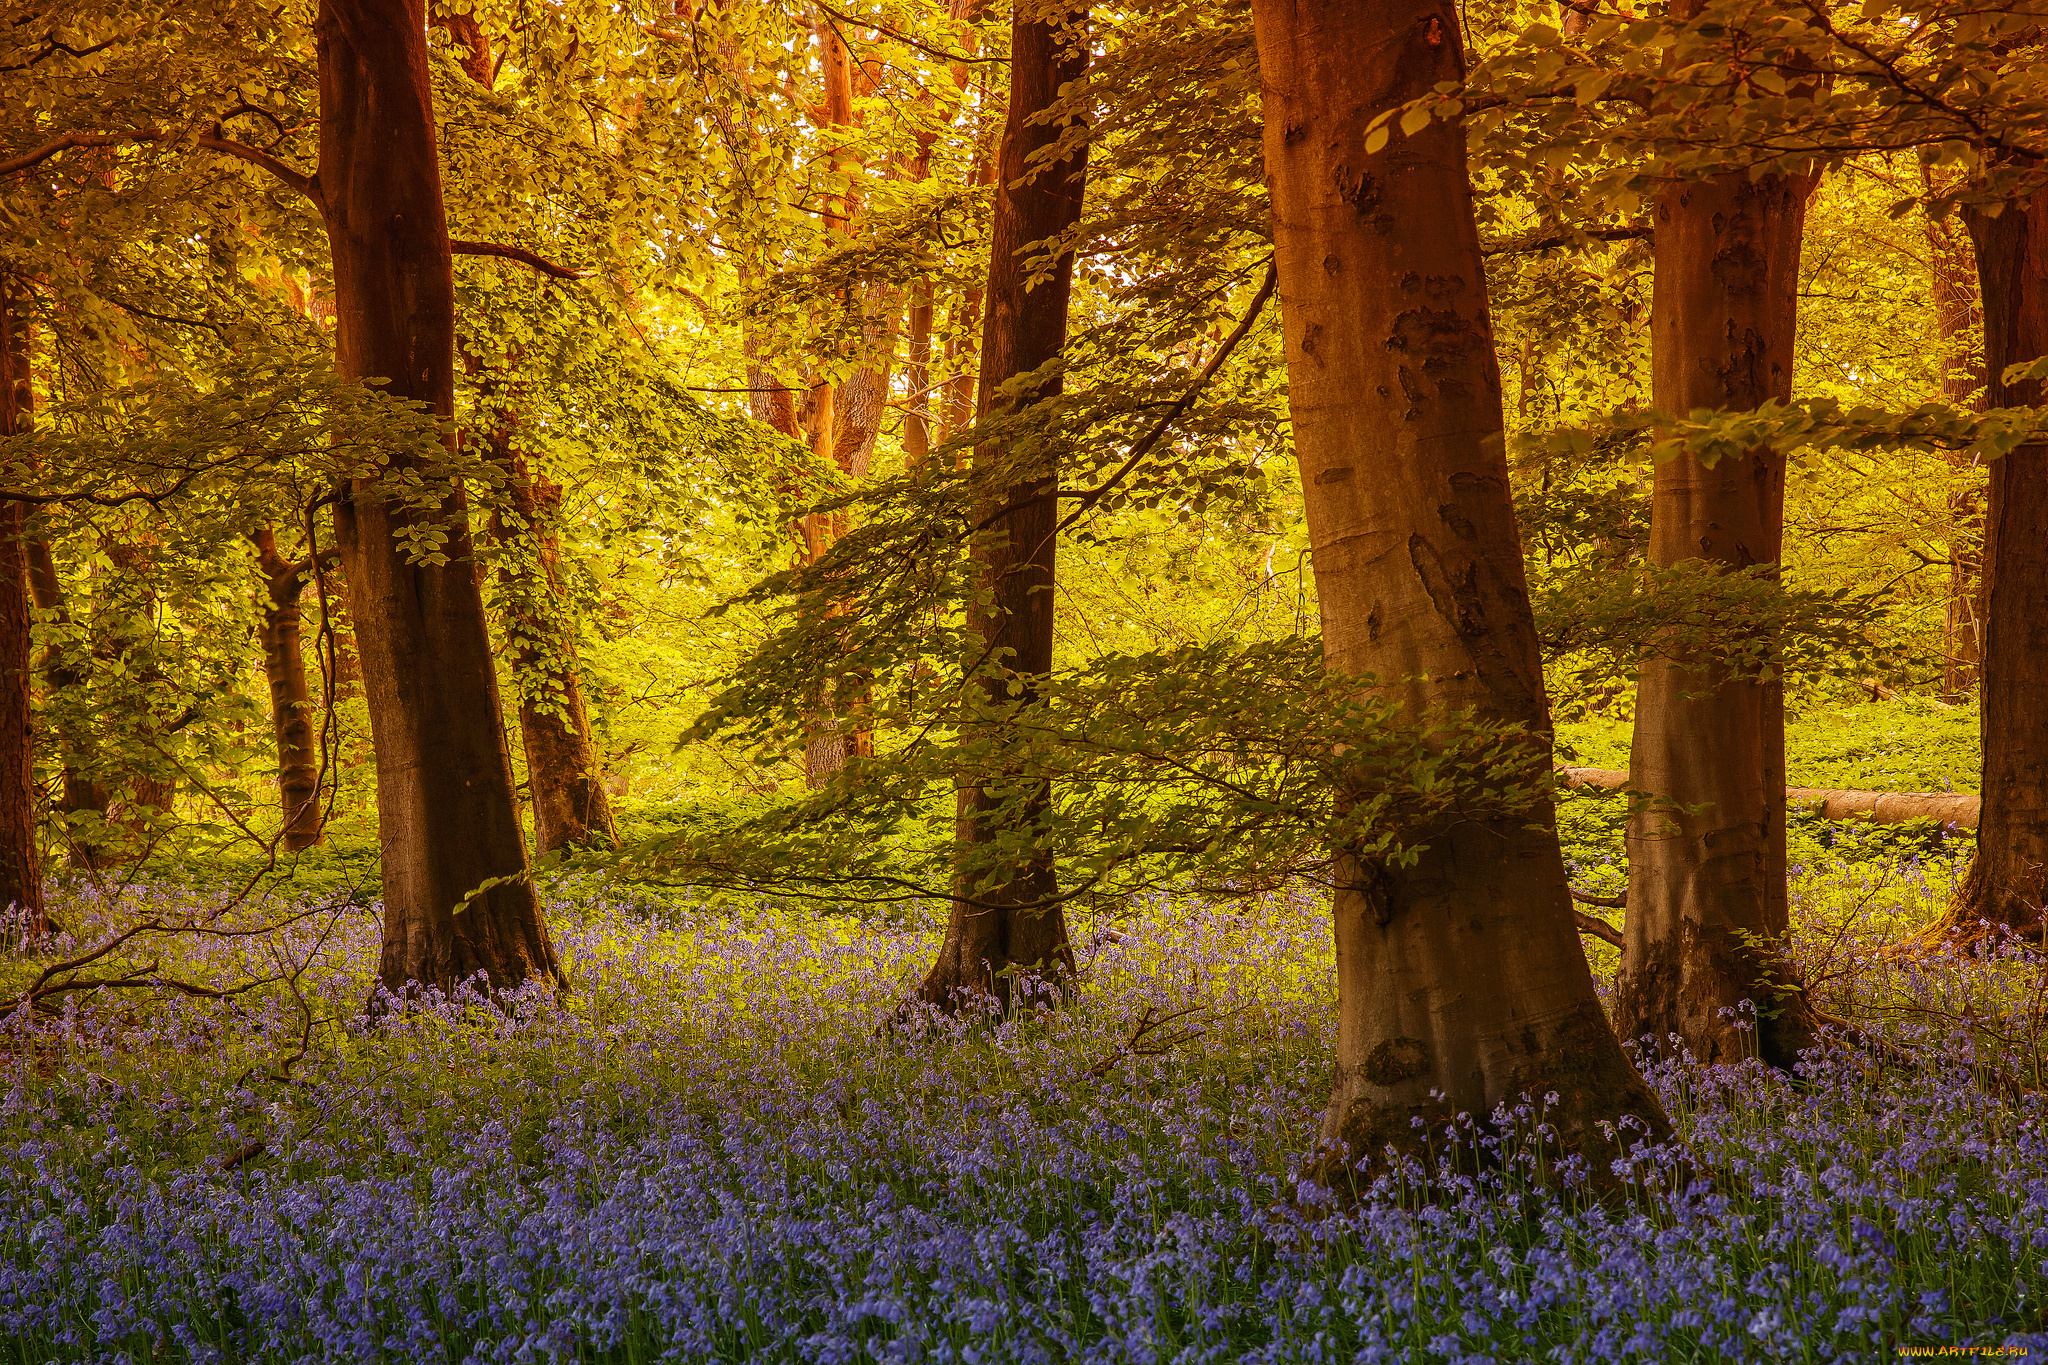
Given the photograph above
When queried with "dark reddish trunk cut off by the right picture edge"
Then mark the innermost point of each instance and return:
(2010, 875)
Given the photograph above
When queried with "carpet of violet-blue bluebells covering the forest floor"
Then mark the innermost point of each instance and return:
(728, 1143)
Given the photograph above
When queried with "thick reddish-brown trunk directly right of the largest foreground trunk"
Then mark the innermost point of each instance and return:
(1707, 865)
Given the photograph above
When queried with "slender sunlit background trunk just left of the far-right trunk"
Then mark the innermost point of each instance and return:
(1961, 322)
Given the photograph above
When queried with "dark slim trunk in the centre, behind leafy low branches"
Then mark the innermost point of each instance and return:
(1013, 920)
